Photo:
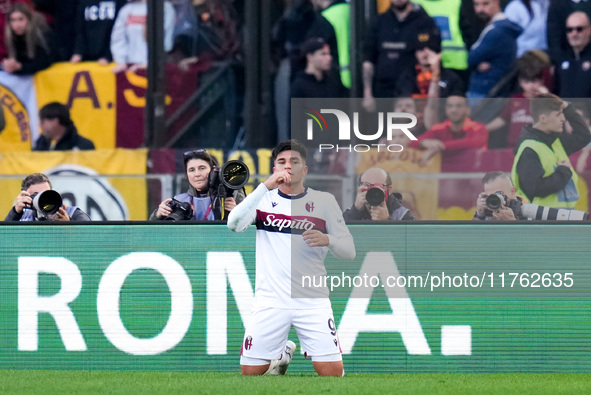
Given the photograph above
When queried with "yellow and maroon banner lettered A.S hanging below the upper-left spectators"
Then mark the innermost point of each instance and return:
(106, 108)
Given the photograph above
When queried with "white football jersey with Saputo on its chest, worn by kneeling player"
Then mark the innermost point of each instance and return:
(283, 259)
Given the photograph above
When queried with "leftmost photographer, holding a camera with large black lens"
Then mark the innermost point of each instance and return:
(37, 201)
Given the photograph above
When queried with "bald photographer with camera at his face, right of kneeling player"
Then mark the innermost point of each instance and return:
(375, 200)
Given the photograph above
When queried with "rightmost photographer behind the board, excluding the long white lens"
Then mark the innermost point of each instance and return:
(495, 201)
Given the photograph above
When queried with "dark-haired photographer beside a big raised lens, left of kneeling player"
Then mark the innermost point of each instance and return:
(204, 199)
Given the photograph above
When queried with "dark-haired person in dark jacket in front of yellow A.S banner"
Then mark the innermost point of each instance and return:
(59, 131)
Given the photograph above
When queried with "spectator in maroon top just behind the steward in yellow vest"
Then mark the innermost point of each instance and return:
(505, 129)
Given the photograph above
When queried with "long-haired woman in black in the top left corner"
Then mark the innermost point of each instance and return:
(28, 40)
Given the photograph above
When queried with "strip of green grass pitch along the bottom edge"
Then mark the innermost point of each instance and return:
(96, 382)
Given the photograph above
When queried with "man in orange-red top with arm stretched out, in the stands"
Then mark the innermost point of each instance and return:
(457, 132)
